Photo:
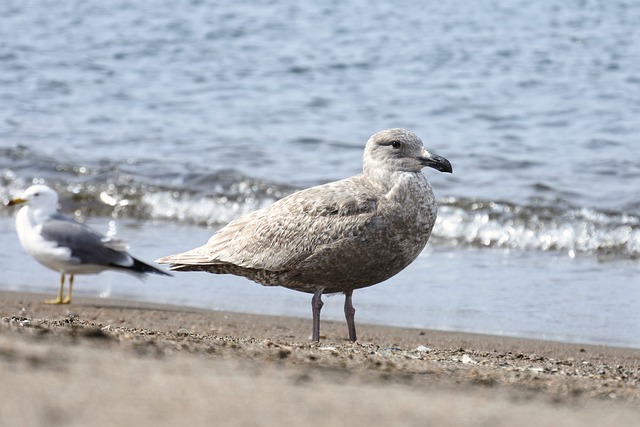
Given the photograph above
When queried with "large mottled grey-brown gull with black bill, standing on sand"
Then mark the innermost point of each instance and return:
(335, 237)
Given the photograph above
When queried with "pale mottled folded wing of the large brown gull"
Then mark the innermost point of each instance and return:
(290, 230)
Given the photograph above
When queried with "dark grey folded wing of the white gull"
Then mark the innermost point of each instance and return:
(88, 247)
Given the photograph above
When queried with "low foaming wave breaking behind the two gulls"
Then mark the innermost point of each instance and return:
(213, 199)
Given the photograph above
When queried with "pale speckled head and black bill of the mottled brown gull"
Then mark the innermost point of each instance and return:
(398, 150)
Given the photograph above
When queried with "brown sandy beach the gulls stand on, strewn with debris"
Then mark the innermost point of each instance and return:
(106, 362)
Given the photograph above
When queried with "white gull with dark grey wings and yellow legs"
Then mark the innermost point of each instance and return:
(67, 246)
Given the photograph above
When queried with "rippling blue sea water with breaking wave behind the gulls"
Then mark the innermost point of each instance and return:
(172, 118)
